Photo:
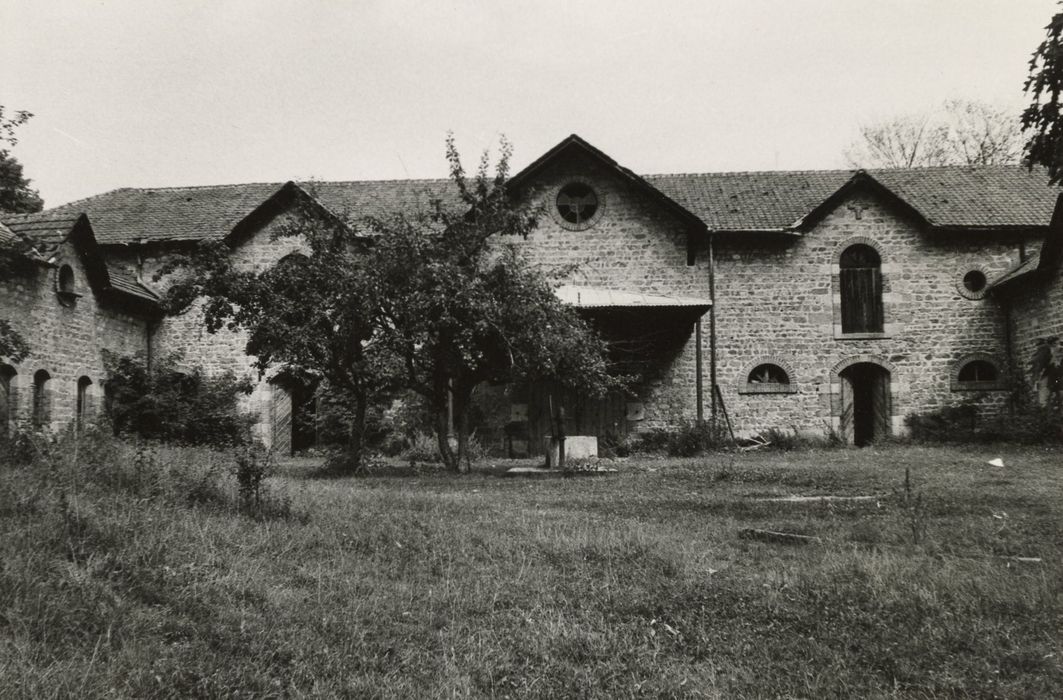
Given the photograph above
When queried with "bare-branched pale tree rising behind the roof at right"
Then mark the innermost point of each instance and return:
(959, 133)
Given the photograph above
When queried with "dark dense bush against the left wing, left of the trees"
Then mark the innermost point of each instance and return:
(163, 403)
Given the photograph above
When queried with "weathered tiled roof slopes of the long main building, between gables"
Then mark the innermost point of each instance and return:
(948, 197)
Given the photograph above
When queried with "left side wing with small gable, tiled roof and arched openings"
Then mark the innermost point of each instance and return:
(69, 305)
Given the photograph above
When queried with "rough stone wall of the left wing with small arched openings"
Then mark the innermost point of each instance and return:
(66, 339)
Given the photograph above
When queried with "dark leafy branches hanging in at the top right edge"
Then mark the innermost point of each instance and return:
(1041, 119)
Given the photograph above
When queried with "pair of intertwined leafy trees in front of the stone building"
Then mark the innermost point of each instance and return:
(436, 302)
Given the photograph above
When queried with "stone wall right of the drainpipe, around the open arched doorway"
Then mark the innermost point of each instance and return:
(780, 302)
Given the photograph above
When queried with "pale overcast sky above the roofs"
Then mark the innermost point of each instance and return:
(153, 94)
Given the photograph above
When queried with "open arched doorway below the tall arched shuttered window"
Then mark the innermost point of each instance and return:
(866, 403)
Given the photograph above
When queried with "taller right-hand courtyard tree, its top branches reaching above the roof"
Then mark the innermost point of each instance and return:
(460, 305)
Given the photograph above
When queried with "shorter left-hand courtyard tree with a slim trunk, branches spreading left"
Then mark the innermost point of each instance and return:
(311, 315)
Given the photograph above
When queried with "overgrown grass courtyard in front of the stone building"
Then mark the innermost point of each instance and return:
(138, 576)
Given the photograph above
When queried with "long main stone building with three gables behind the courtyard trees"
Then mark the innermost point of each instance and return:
(815, 300)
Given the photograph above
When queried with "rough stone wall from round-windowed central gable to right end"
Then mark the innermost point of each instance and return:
(779, 302)
